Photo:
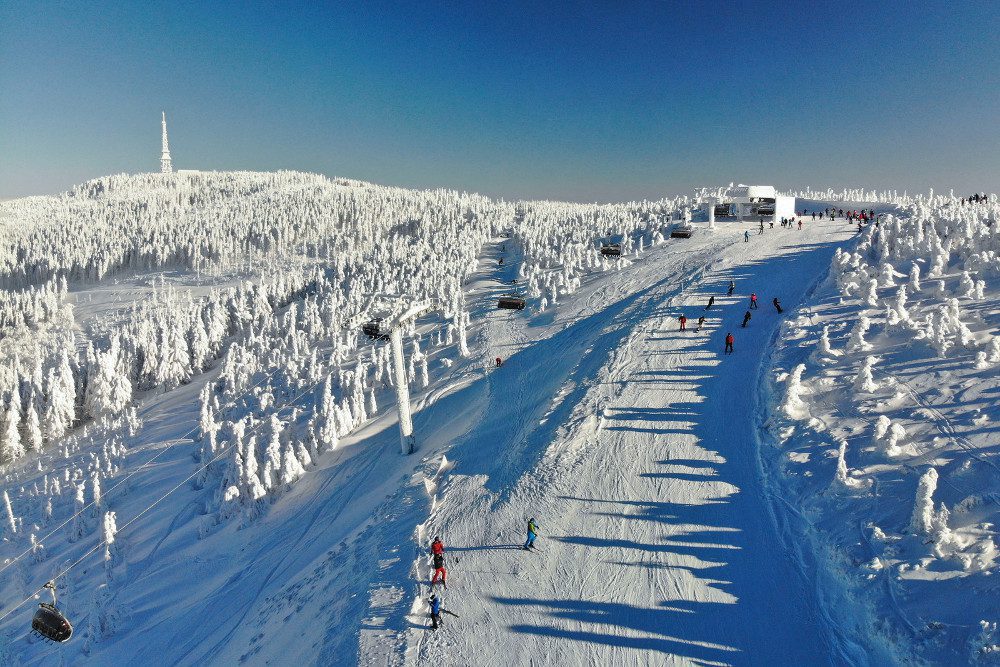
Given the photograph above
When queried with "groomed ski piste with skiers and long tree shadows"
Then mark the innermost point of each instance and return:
(634, 446)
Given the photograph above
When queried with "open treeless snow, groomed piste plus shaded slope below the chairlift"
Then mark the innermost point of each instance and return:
(634, 446)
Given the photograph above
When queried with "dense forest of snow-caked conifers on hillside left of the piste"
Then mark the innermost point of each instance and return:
(291, 261)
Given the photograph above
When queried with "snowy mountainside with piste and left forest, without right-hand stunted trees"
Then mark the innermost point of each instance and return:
(216, 478)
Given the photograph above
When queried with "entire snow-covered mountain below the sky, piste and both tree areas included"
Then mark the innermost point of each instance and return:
(201, 449)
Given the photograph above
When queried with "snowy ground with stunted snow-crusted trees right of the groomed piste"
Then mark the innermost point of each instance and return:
(884, 402)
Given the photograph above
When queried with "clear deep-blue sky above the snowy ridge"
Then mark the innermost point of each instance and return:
(582, 101)
